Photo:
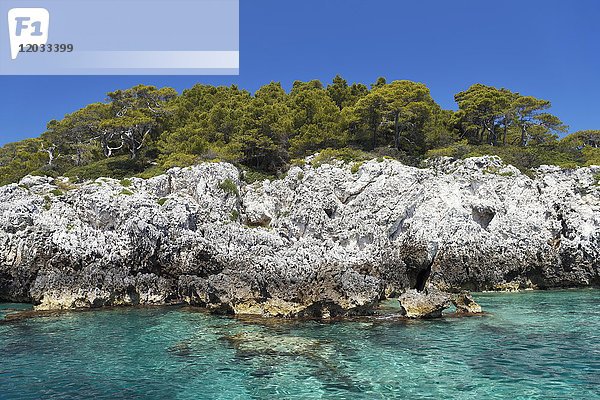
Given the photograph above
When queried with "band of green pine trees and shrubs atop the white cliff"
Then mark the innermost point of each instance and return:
(144, 130)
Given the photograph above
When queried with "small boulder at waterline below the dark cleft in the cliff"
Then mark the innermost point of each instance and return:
(426, 304)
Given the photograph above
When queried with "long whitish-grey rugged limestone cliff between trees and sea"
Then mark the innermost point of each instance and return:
(321, 242)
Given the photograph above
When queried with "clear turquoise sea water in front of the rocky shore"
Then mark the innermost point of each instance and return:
(531, 345)
